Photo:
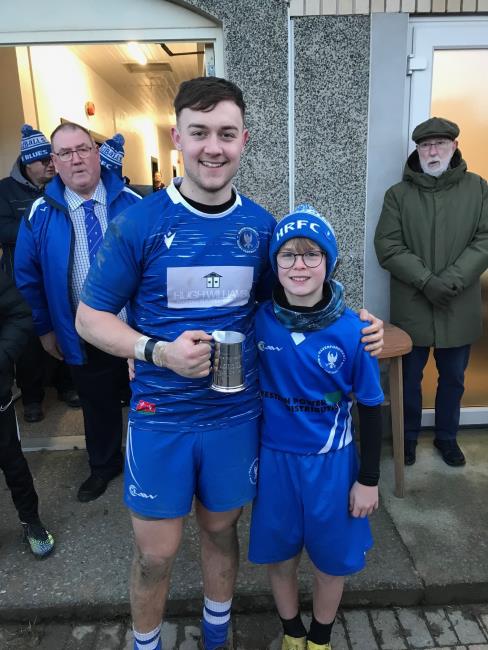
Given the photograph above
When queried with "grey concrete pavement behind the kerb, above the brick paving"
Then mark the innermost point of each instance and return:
(430, 547)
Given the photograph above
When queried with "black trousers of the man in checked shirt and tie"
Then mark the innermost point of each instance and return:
(100, 383)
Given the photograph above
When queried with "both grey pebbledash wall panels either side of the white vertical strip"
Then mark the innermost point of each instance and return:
(331, 77)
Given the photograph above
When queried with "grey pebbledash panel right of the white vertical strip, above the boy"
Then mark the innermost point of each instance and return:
(331, 120)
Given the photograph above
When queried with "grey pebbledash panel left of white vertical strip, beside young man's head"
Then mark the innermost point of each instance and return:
(255, 49)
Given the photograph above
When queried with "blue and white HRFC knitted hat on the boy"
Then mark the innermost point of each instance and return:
(306, 221)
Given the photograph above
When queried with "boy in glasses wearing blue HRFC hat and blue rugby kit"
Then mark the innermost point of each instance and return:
(310, 493)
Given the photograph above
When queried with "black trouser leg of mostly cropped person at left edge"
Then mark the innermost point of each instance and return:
(15, 467)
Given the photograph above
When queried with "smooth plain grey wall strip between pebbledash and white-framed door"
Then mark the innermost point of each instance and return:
(387, 145)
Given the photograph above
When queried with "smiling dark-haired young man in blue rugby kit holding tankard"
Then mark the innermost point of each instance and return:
(190, 260)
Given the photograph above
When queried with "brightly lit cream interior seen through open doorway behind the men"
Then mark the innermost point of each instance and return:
(110, 88)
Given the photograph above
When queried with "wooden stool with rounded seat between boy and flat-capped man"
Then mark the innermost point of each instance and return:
(397, 343)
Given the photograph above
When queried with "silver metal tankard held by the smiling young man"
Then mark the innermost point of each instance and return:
(227, 367)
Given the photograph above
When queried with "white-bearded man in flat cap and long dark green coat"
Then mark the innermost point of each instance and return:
(432, 237)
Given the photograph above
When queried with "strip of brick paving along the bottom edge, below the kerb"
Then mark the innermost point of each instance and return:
(445, 628)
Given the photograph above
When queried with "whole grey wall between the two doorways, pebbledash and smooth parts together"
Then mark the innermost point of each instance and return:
(341, 141)
